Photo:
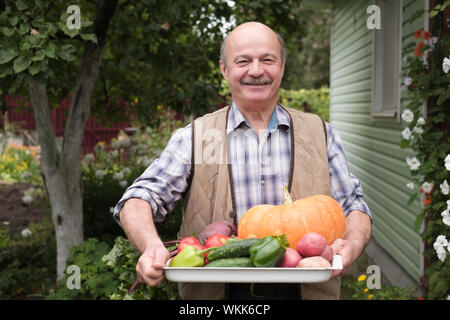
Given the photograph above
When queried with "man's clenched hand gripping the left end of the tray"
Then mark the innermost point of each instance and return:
(151, 263)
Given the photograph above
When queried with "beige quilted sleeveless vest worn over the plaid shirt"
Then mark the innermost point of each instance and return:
(210, 196)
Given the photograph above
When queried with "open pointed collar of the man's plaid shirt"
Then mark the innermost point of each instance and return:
(279, 118)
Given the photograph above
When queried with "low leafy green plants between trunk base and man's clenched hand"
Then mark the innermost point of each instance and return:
(108, 273)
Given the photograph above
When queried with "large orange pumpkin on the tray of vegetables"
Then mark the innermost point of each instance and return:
(319, 213)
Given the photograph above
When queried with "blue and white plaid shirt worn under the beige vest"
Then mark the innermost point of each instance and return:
(260, 167)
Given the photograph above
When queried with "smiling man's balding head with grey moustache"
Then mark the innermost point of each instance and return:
(253, 66)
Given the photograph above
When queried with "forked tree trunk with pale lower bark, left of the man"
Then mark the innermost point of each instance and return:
(62, 172)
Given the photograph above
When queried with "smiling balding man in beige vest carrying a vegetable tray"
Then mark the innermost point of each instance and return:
(279, 146)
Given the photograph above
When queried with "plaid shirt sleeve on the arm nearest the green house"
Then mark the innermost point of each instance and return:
(345, 187)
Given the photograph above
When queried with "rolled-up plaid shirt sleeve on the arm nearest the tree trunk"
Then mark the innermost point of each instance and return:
(165, 180)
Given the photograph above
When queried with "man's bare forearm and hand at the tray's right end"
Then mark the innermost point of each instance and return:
(357, 235)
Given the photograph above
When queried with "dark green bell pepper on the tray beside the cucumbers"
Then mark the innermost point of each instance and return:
(268, 251)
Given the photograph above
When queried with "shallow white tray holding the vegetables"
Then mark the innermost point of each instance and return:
(252, 275)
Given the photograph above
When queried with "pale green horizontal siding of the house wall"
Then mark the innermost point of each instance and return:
(372, 146)
